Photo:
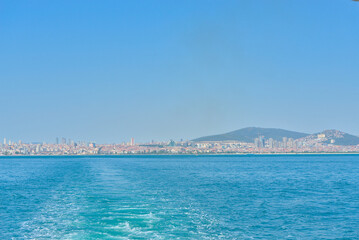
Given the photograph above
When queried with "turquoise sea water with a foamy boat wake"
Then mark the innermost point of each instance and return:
(174, 197)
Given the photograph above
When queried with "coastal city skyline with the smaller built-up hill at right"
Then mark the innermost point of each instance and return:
(328, 141)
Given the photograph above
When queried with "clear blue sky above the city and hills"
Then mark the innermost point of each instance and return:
(106, 71)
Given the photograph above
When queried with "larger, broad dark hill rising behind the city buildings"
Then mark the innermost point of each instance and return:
(250, 133)
